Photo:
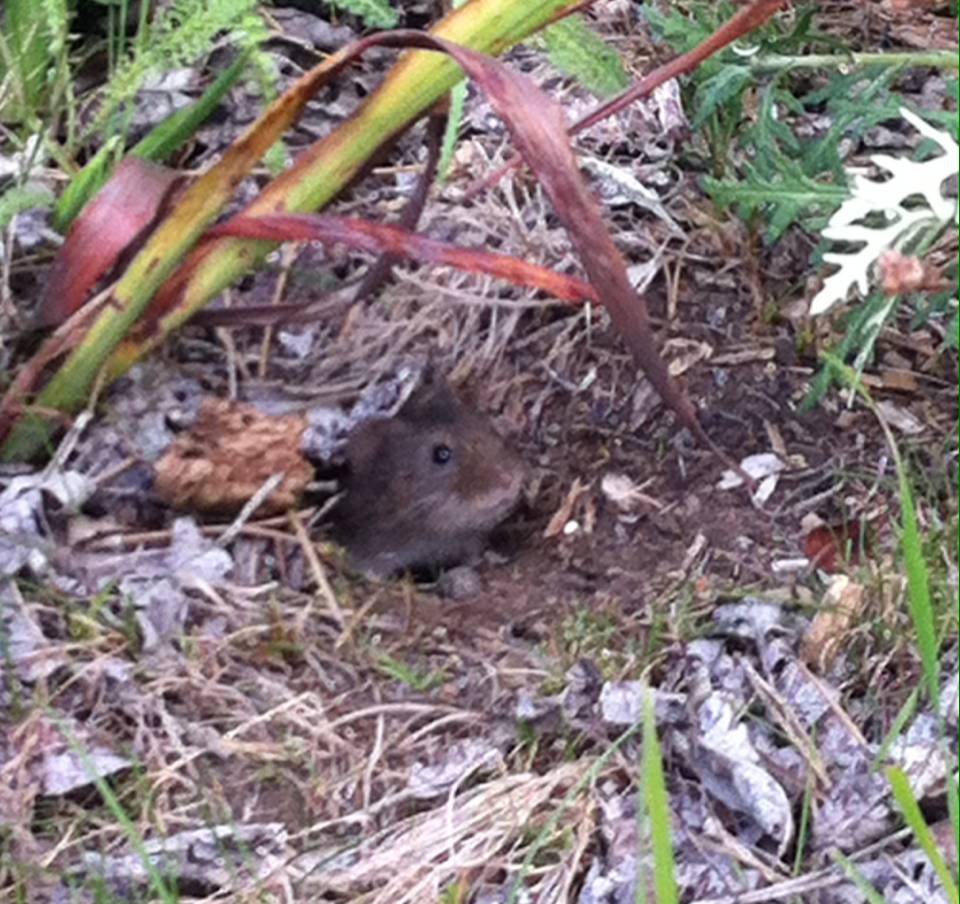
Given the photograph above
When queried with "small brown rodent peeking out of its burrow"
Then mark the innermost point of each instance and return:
(425, 487)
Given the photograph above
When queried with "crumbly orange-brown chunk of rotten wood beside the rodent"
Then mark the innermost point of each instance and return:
(228, 455)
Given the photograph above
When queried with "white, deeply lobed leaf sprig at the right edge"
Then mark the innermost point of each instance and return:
(909, 179)
